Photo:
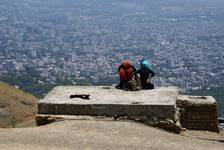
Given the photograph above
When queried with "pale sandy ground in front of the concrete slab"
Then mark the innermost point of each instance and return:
(91, 134)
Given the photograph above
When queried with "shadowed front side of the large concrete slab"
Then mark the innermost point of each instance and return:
(165, 117)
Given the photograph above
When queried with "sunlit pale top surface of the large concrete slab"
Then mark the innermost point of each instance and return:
(110, 95)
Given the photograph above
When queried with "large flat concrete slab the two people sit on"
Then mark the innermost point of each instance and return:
(155, 107)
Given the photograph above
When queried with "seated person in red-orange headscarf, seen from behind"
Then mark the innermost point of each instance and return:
(126, 73)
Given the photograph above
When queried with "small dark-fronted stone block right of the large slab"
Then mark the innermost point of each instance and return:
(198, 113)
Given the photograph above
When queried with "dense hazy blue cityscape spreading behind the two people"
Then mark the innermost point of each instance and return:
(84, 42)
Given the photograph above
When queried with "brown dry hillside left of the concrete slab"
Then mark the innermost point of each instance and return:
(16, 106)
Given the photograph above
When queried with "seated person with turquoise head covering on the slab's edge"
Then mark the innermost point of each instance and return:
(145, 74)
